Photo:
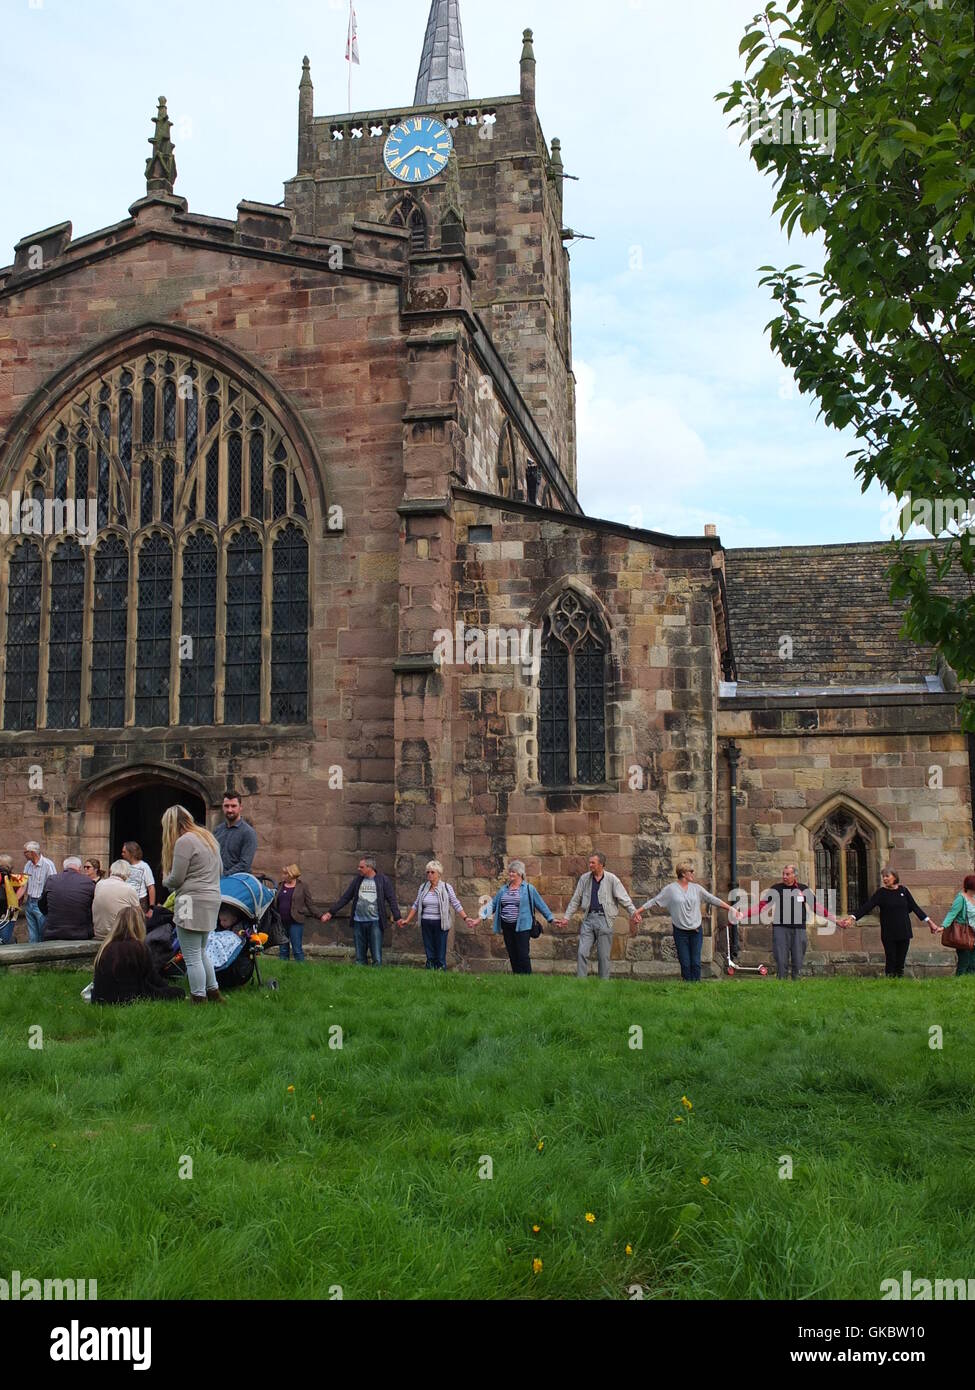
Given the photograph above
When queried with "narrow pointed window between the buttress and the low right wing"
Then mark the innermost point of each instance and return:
(572, 704)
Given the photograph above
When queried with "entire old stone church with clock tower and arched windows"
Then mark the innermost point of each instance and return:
(322, 436)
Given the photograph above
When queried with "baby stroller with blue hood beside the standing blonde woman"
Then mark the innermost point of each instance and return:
(244, 928)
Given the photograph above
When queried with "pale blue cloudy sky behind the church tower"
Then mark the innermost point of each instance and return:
(686, 418)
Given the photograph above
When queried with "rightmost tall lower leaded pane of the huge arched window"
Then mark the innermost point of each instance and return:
(290, 629)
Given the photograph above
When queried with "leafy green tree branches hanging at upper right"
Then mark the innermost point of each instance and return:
(864, 115)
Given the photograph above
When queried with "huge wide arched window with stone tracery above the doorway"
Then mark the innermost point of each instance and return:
(154, 465)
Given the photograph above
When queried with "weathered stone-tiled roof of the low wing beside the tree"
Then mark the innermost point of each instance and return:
(832, 601)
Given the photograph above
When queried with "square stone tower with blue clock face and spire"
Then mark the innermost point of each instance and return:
(508, 184)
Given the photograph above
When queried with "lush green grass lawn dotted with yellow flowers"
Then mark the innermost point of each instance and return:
(366, 1175)
